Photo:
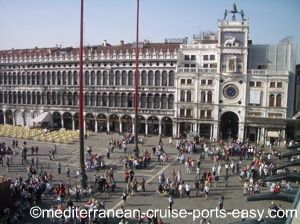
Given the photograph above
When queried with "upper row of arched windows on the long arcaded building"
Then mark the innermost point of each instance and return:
(102, 78)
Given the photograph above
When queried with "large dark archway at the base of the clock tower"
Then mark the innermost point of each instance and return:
(229, 126)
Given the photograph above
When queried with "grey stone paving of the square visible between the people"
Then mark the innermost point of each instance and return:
(69, 155)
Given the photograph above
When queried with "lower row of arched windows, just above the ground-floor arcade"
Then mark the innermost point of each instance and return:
(103, 99)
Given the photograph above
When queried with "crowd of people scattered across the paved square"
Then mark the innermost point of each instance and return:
(246, 161)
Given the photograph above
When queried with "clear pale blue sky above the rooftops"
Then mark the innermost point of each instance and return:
(45, 23)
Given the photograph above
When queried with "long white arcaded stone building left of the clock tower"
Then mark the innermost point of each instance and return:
(38, 80)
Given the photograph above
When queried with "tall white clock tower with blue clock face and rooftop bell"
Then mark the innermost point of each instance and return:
(232, 67)
